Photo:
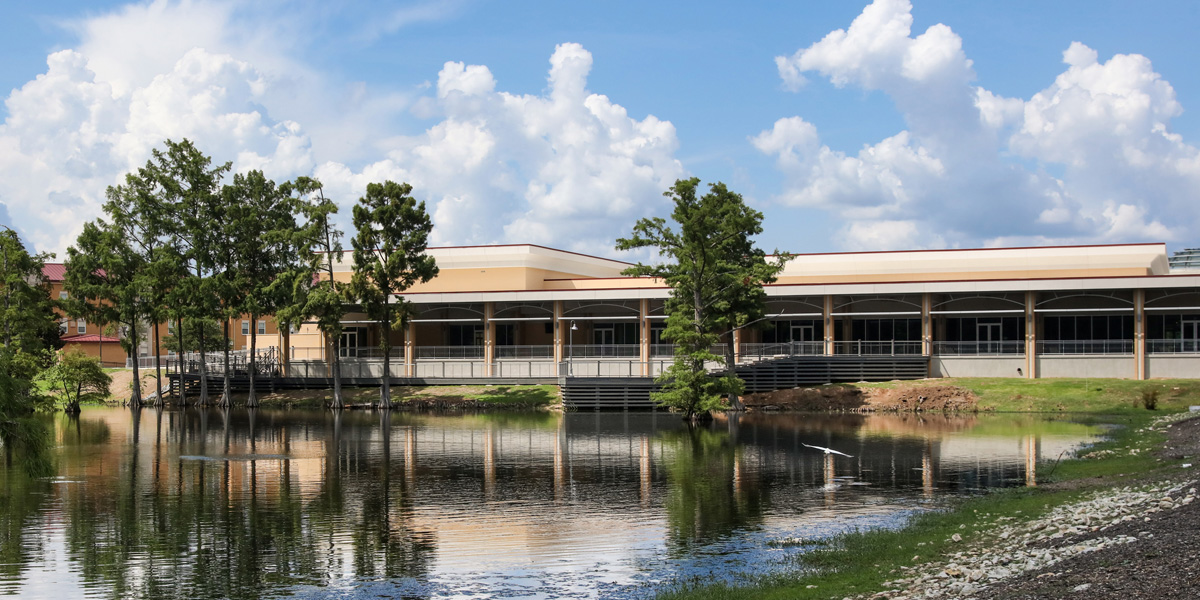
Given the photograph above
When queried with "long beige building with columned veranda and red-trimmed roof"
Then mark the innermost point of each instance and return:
(521, 311)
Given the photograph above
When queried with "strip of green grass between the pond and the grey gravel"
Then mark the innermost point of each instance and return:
(860, 563)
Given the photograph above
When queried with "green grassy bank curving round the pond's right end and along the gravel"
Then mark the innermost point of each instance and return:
(861, 563)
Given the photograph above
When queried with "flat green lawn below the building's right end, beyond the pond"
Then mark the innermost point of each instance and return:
(1096, 397)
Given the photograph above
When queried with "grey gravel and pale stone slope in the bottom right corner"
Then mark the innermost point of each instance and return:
(1123, 543)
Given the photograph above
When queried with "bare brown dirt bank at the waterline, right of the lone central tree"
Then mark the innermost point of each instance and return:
(905, 398)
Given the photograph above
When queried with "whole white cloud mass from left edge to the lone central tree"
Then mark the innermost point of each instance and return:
(567, 167)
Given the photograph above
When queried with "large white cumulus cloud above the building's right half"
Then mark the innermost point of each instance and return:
(974, 167)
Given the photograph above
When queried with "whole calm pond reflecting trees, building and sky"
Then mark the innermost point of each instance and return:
(202, 505)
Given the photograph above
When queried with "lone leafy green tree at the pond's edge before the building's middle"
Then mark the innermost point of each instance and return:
(716, 275)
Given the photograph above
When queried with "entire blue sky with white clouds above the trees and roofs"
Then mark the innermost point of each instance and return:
(850, 125)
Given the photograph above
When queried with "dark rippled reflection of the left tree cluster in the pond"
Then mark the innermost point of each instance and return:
(237, 527)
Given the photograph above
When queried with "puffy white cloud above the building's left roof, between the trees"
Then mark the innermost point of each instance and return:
(568, 169)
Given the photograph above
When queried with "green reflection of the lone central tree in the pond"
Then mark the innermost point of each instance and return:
(710, 494)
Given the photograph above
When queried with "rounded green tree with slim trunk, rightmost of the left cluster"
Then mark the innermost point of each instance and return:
(392, 235)
